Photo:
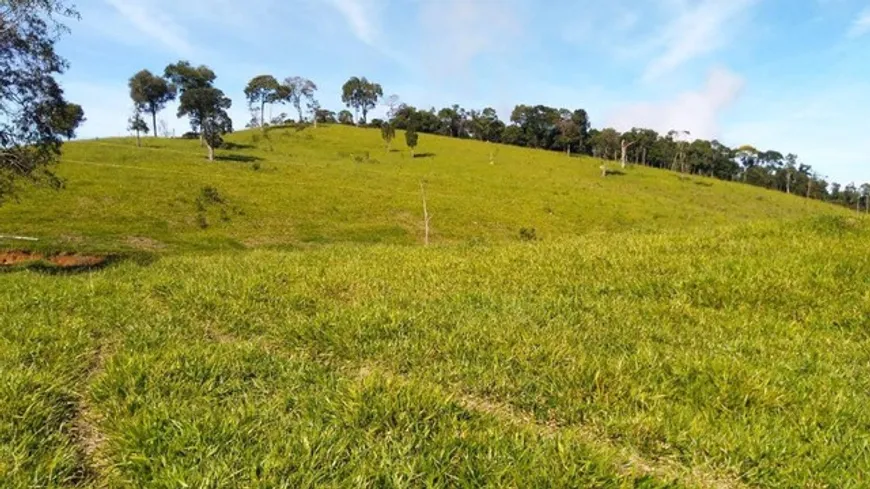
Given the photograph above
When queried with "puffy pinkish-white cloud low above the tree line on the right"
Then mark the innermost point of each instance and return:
(697, 112)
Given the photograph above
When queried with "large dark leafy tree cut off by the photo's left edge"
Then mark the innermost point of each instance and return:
(31, 100)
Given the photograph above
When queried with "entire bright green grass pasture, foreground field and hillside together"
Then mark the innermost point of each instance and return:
(292, 331)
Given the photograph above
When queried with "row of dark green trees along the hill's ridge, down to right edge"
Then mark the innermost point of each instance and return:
(532, 126)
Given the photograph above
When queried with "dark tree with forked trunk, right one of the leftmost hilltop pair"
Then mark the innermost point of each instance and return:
(207, 107)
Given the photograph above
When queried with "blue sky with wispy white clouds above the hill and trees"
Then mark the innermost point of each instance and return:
(790, 75)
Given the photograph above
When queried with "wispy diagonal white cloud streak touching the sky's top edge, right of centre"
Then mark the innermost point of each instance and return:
(695, 30)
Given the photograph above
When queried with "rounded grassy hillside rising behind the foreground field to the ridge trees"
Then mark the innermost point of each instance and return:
(310, 189)
